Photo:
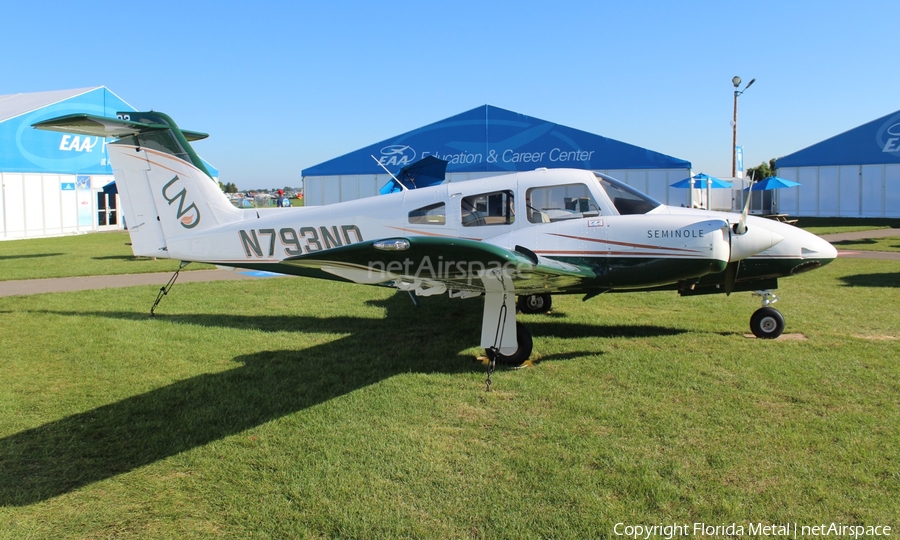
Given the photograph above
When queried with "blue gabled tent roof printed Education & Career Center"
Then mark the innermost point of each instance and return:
(491, 139)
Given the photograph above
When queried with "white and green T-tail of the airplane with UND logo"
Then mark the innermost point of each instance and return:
(165, 188)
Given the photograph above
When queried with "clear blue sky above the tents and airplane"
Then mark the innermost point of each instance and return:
(281, 86)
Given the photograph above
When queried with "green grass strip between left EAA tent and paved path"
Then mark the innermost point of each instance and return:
(78, 255)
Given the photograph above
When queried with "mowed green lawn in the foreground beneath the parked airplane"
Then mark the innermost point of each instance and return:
(292, 408)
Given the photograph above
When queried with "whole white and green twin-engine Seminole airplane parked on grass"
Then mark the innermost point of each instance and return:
(531, 234)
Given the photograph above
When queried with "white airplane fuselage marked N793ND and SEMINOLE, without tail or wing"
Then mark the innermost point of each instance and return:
(663, 246)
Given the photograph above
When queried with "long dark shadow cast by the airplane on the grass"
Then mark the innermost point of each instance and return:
(64, 455)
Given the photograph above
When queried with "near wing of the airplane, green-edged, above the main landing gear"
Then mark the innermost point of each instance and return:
(432, 265)
